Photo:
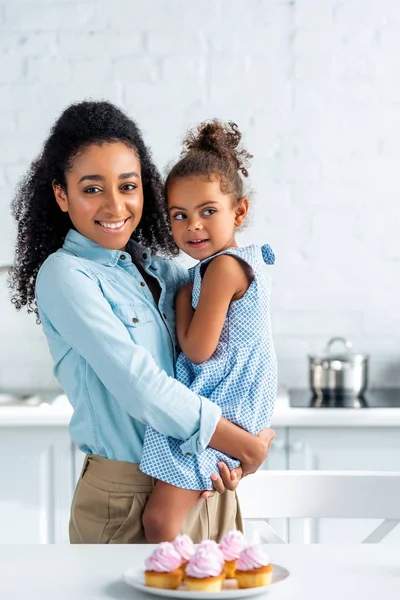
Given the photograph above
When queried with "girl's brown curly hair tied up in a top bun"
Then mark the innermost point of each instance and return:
(213, 150)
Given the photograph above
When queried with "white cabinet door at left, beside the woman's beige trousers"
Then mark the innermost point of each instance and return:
(36, 485)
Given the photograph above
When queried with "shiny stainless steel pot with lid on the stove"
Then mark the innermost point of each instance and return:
(339, 373)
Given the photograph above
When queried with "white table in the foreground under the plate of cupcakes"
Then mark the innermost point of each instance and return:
(318, 572)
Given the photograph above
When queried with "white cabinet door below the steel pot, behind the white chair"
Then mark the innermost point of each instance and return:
(351, 449)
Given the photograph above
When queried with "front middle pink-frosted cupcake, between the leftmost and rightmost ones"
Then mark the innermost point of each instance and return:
(205, 569)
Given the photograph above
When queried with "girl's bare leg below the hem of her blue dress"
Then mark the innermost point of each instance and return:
(165, 511)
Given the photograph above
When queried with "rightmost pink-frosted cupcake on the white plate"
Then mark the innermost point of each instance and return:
(253, 568)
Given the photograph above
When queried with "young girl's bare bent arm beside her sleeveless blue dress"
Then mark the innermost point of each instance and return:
(226, 279)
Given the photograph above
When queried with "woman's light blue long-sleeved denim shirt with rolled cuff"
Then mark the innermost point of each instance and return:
(114, 349)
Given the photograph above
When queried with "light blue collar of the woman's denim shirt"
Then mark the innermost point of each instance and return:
(78, 244)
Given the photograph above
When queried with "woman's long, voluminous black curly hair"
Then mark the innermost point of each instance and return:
(42, 226)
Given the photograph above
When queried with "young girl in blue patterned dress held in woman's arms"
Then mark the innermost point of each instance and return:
(223, 321)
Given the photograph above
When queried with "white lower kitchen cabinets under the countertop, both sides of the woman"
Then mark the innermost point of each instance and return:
(39, 468)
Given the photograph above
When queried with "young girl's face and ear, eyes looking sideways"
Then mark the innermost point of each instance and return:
(203, 219)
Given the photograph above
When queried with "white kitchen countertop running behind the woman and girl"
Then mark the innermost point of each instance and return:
(59, 413)
